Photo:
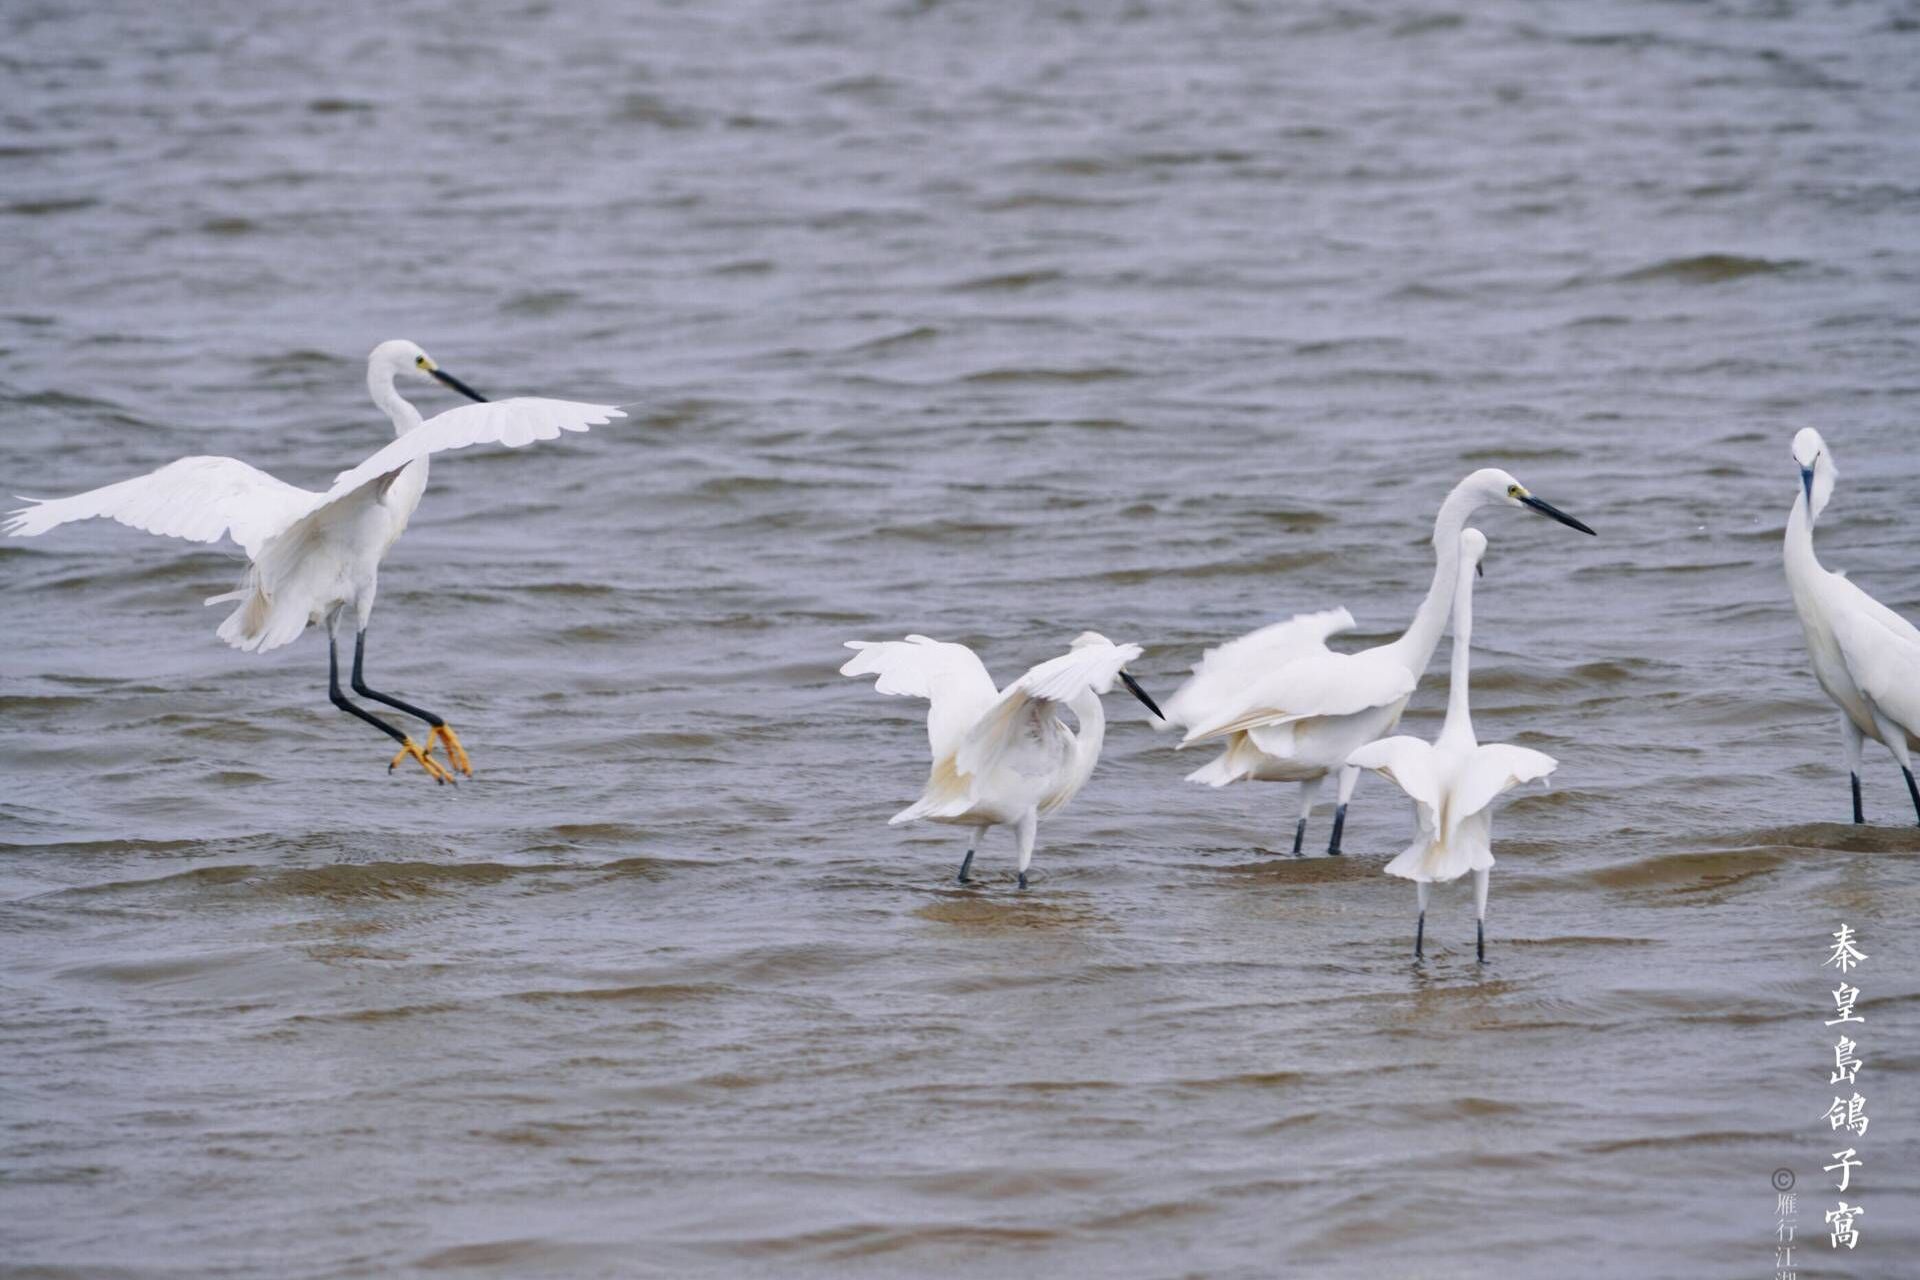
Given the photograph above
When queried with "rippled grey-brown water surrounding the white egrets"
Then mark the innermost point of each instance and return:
(994, 323)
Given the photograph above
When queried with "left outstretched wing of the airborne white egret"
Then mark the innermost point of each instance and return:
(201, 500)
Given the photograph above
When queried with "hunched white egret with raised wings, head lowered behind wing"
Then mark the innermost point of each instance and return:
(1001, 759)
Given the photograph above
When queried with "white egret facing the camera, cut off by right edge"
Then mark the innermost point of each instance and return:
(1863, 653)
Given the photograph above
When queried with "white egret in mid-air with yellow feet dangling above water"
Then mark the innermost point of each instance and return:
(316, 557)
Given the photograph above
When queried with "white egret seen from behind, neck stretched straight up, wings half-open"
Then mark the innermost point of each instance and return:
(1454, 782)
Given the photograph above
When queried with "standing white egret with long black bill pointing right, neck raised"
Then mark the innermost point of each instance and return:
(1293, 711)
